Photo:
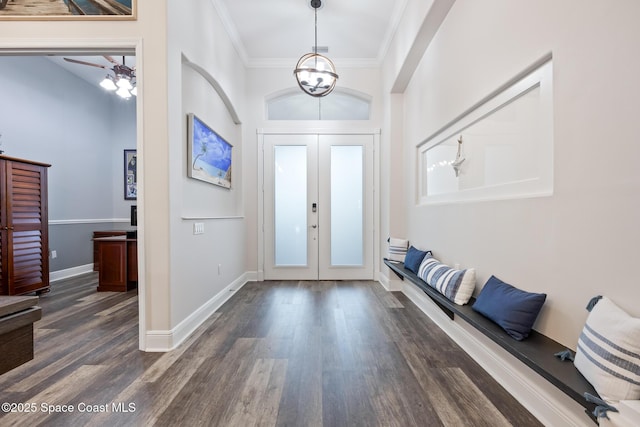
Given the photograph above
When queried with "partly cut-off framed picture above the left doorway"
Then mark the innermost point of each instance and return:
(81, 10)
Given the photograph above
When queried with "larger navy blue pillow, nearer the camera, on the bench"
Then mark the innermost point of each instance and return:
(513, 309)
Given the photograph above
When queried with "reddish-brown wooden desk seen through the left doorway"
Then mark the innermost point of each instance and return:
(118, 261)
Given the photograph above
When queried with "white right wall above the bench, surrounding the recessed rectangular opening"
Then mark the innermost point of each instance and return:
(581, 241)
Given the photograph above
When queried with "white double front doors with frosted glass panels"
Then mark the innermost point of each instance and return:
(318, 209)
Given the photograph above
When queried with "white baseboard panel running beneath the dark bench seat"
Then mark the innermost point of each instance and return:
(548, 404)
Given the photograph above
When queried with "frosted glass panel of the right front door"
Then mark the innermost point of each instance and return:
(347, 193)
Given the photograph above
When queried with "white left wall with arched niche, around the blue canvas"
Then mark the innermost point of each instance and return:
(203, 266)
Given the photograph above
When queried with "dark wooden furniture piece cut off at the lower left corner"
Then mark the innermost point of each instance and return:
(17, 315)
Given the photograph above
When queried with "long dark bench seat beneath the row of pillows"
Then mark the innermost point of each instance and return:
(536, 351)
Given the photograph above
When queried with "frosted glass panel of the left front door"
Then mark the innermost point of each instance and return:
(290, 173)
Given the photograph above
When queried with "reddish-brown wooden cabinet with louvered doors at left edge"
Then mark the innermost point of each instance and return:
(24, 226)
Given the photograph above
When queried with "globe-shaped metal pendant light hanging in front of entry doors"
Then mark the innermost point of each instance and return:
(316, 74)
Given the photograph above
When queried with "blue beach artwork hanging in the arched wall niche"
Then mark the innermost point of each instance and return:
(209, 154)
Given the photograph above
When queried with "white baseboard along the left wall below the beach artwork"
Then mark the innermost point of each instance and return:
(167, 340)
